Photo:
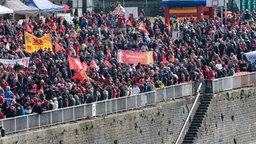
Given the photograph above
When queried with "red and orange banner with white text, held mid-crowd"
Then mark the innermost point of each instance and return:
(132, 57)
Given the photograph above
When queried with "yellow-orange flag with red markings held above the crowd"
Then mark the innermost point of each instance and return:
(33, 43)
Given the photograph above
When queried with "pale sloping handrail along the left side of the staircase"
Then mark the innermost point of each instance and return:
(190, 112)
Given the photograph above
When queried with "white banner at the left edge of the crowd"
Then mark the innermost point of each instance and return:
(11, 63)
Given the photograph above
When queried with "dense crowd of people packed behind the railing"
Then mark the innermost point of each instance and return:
(206, 49)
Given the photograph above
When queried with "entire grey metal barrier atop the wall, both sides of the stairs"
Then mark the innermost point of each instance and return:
(59, 116)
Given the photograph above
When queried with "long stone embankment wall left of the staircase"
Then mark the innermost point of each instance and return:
(152, 125)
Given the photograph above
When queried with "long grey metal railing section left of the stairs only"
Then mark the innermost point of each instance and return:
(47, 118)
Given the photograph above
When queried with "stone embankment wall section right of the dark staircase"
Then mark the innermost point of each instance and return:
(231, 118)
